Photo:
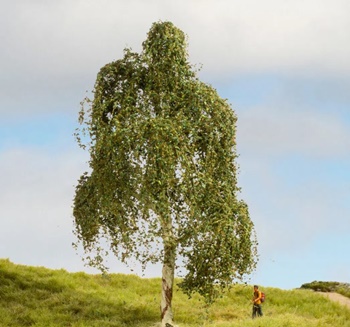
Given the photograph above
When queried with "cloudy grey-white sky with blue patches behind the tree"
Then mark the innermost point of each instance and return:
(283, 66)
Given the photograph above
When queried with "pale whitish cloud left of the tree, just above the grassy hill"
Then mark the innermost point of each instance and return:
(36, 195)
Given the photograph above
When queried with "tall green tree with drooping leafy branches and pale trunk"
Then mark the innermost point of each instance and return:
(163, 182)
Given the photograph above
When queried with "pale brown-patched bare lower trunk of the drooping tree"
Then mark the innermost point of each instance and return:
(167, 285)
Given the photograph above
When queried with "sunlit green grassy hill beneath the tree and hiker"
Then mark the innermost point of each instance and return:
(32, 296)
